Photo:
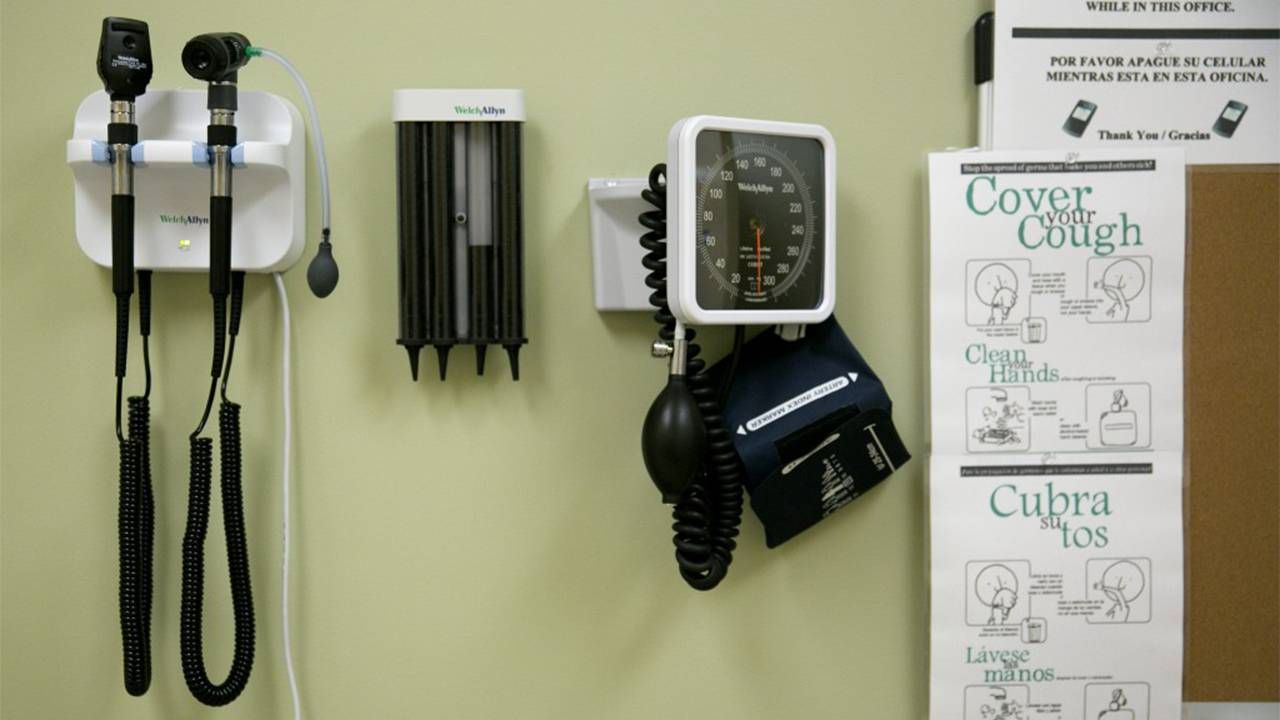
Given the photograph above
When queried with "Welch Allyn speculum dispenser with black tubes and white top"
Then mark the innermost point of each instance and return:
(459, 157)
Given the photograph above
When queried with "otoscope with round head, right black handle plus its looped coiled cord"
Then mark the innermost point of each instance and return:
(217, 58)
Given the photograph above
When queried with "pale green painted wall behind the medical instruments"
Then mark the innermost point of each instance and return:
(478, 549)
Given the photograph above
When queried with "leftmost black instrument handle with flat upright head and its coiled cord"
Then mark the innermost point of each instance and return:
(125, 67)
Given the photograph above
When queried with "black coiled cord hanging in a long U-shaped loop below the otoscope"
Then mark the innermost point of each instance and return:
(191, 626)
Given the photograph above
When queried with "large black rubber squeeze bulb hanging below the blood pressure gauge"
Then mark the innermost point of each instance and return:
(674, 440)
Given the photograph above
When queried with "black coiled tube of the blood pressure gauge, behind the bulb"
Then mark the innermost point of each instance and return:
(708, 514)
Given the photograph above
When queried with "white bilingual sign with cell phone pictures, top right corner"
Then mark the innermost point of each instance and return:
(1108, 74)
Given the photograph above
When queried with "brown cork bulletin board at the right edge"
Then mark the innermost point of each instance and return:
(1233, 435)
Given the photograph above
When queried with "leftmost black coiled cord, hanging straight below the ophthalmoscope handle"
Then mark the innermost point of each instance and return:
(136, 513)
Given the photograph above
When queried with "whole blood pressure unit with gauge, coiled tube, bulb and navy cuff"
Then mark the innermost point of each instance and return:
(751, 207)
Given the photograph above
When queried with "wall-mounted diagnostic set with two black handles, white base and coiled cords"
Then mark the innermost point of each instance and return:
(180, 231)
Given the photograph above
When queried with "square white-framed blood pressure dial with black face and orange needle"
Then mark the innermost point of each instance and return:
(753, 222)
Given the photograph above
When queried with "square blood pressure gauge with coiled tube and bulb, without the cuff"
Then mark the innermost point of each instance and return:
(743, 233)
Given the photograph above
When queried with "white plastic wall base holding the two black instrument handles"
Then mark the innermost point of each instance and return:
(171, 183)
